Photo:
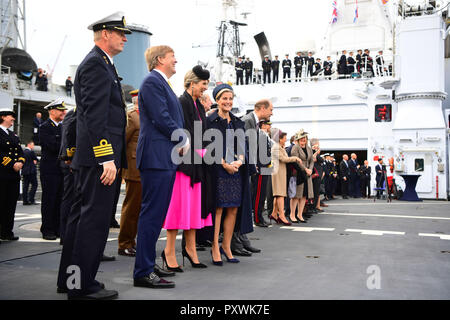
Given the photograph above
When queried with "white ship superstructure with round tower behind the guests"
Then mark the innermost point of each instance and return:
(397, 114)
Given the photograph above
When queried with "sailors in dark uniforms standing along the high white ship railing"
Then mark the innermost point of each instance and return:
(309, 66)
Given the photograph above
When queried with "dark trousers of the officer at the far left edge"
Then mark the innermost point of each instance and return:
(9, 193)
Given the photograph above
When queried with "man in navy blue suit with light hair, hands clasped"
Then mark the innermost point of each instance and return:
(161, 115)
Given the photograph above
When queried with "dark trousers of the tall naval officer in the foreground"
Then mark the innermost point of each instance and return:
(87, 229)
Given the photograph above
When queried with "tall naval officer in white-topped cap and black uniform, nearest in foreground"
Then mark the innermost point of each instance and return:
(100, 152)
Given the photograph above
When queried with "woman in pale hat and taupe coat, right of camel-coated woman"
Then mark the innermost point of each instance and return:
(304, 190)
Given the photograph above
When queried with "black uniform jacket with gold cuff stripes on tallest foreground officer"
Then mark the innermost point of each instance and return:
(101, 116)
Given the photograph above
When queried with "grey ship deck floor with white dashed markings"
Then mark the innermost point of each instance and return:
(357, 249)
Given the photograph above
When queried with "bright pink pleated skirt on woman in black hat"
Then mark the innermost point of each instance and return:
(185, 209)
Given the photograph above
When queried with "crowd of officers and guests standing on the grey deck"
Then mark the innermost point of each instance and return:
(214, 189)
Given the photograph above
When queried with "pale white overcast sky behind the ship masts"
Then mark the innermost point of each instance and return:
(55, 26)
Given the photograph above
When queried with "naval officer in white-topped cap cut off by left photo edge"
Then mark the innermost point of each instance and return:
(11, 162)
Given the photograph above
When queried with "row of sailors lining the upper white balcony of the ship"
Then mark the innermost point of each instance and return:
(306, 67)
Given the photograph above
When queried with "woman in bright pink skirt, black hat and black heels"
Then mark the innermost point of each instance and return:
(189, 210)
